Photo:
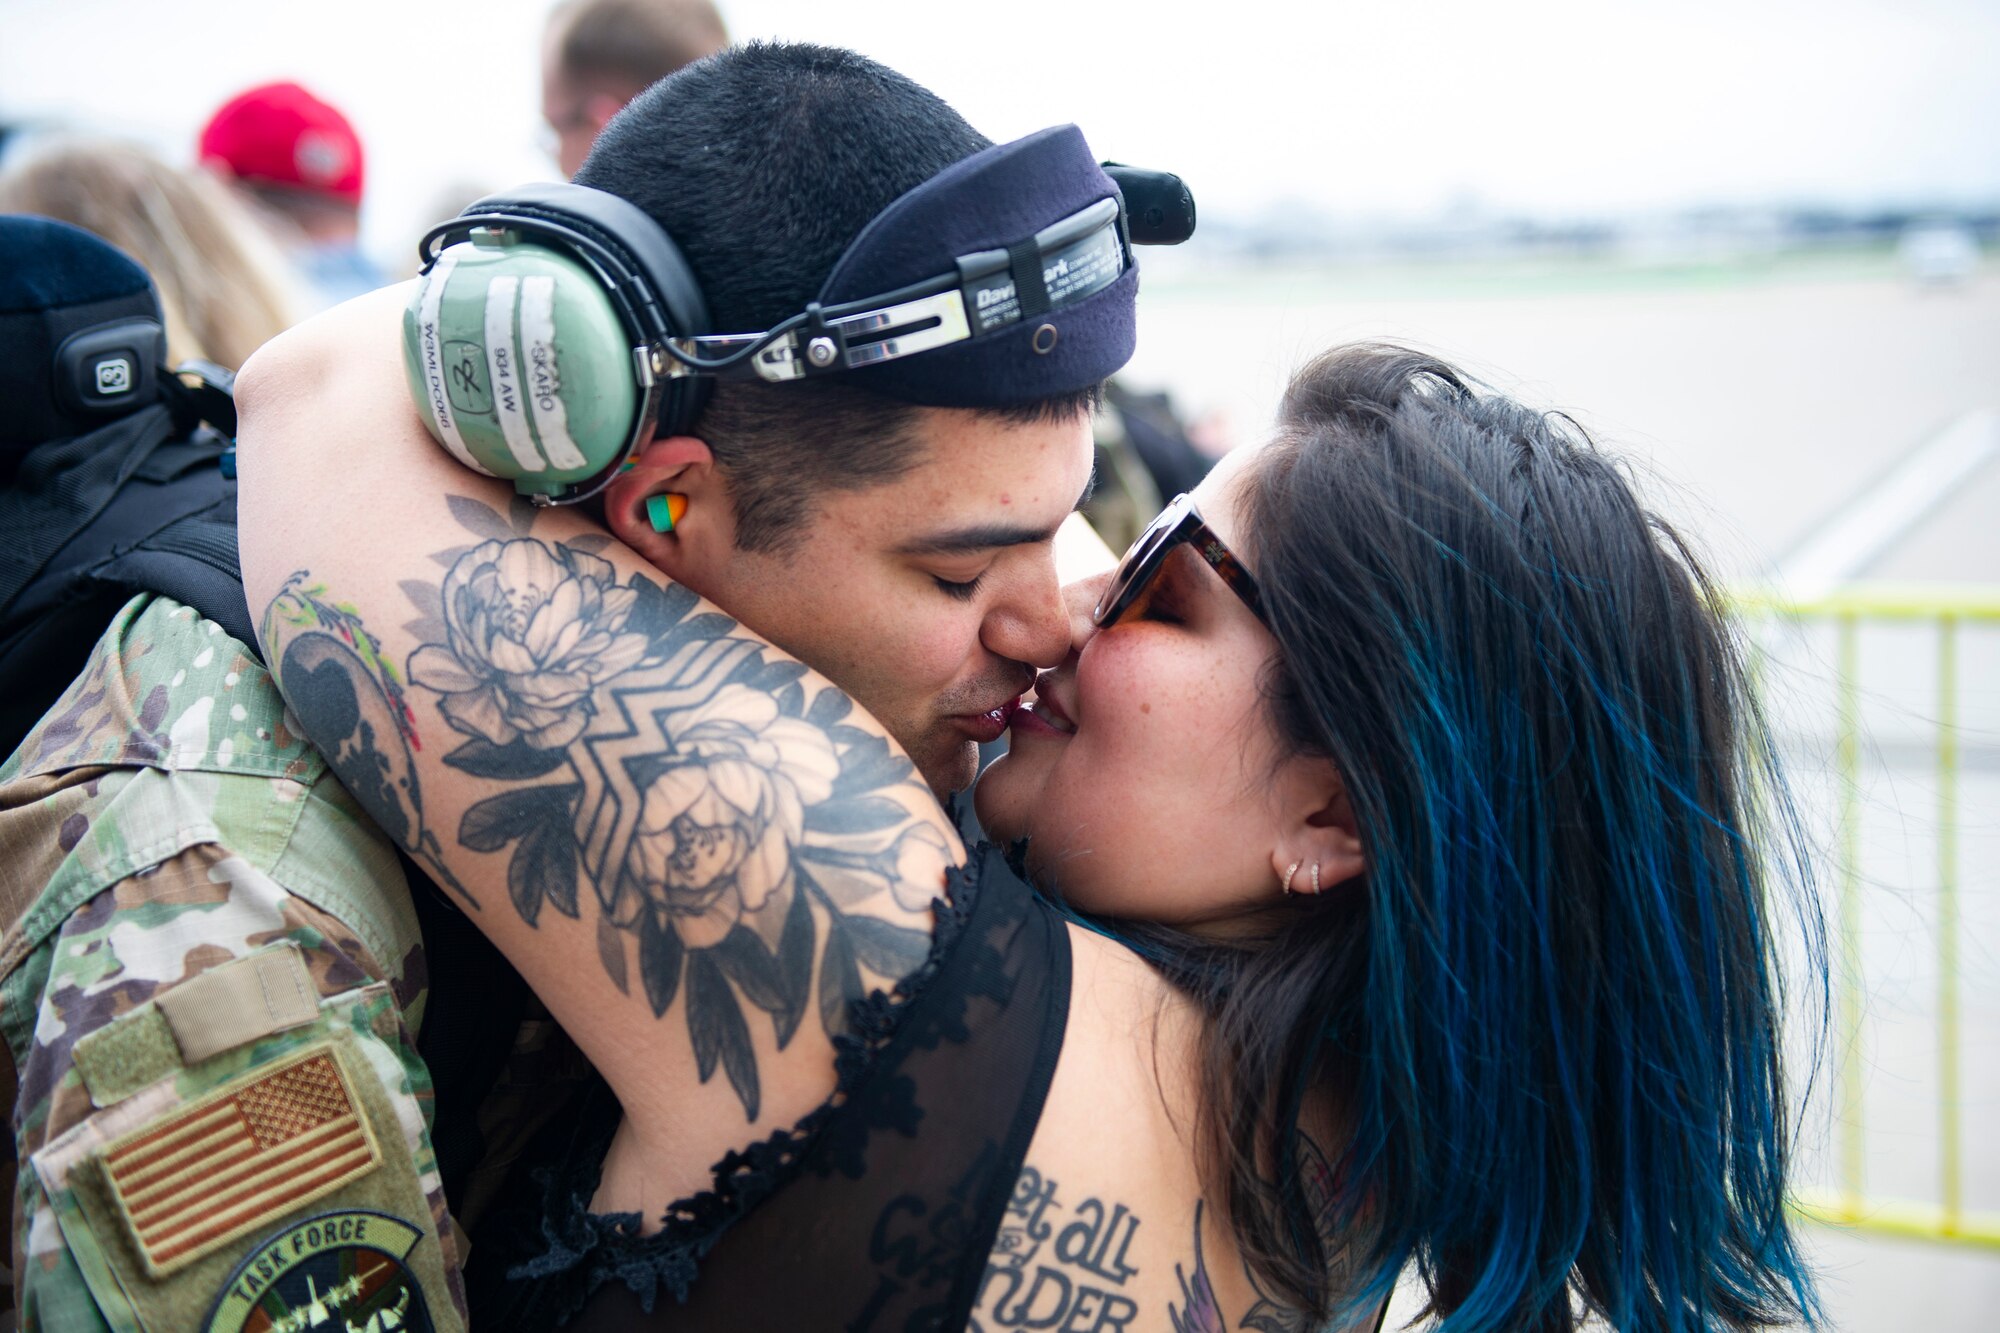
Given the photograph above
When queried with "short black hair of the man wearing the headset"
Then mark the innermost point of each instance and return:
(763, 165)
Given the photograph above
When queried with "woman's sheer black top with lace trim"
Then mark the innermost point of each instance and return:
(875, 1214)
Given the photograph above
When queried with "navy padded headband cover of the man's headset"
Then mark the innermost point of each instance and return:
(993, 201)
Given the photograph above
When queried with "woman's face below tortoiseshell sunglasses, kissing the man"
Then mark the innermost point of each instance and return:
(1149, 778)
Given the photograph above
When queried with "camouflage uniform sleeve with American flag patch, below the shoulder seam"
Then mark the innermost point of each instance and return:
(105, 1000)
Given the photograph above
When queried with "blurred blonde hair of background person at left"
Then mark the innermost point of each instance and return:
(223, 285)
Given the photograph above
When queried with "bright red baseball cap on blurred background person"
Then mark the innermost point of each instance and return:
(287, 137)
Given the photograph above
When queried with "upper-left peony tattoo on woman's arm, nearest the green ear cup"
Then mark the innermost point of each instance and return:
(531, 633)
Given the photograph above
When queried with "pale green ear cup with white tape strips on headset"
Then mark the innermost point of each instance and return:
(521, 365)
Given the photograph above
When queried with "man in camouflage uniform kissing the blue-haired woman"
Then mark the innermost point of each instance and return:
(901, 547)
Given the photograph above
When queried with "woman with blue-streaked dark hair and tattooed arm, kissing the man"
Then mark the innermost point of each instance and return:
(1421, 860)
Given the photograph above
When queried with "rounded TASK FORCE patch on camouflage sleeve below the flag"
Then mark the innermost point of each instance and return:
(329, 1274)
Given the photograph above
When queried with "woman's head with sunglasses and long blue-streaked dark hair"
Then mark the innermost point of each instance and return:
(1535, 1004)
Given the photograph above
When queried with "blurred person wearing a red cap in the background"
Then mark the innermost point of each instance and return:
(301, 163)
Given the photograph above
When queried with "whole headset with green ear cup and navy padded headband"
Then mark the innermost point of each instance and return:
(1003, 281)
